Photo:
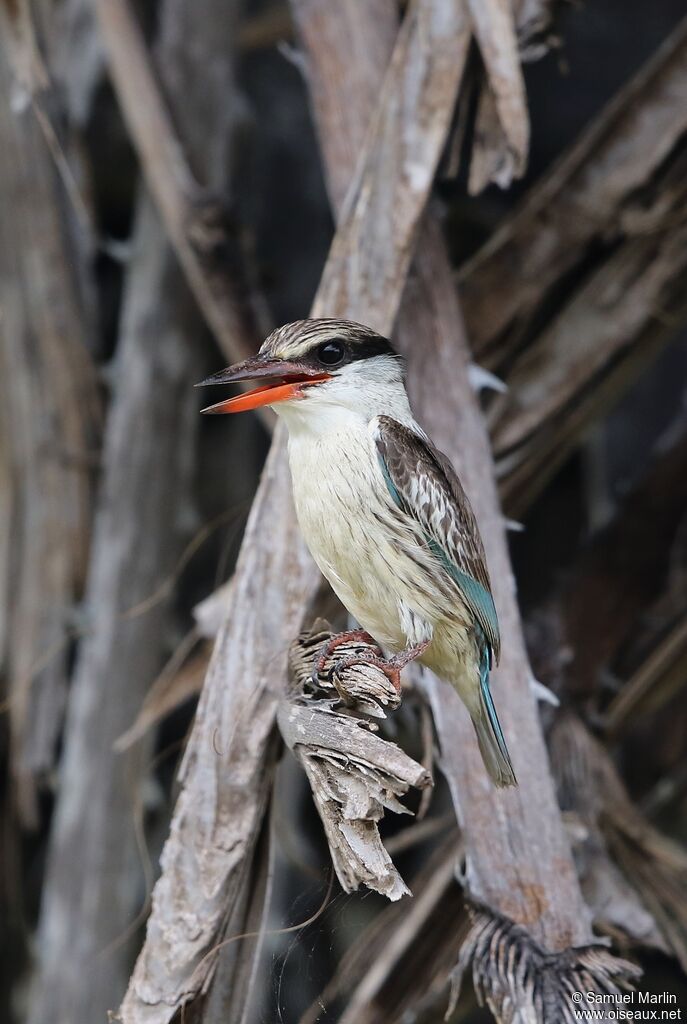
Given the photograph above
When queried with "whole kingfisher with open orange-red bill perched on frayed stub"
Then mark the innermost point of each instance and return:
(382, 510)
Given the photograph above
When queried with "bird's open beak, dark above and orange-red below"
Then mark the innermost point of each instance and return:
(283, 380)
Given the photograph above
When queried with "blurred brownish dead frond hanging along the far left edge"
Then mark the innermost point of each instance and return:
(51, 413)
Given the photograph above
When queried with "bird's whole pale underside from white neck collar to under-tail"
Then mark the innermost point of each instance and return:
(374, 554)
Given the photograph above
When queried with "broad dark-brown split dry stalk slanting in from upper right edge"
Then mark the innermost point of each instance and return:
(589, 276)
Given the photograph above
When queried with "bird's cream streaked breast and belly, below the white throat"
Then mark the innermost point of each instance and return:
(374, 559)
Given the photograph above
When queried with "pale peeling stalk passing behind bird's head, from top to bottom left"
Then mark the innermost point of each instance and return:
(227, 771)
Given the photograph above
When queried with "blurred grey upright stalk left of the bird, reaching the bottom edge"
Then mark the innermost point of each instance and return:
(93, 888)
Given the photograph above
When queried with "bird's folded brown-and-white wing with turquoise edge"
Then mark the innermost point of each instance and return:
(424, 486)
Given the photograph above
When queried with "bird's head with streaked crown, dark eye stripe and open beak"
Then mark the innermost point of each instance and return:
(318, 366)
